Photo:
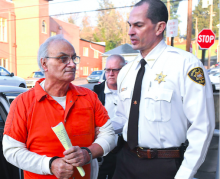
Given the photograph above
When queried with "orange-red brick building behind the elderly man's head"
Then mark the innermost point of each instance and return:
(25, 25)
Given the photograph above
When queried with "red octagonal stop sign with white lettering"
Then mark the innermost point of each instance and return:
(206, 38)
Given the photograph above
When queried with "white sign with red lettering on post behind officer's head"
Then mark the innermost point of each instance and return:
(172, 29)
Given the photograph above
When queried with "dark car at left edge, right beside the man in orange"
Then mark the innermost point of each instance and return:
(7, 95)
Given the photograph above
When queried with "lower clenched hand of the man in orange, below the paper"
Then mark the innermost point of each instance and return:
(61, 169)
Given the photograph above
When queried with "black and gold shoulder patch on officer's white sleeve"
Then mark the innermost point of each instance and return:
(197, 75)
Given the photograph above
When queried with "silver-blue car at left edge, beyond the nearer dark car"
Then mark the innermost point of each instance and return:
(7, 78)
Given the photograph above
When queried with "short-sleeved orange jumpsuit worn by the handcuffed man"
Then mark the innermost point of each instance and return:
(33, 113)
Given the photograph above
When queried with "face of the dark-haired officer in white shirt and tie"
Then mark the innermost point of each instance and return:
(142, 32)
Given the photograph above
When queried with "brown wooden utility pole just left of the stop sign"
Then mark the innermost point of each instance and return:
(189, 26)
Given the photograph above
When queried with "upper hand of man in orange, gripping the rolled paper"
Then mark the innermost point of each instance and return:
(76, 156)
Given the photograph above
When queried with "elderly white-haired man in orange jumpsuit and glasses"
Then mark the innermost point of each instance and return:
(29, 142)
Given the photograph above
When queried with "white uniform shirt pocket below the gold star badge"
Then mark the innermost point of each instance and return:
(158, 105)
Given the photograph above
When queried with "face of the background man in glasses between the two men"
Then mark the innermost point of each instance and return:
(111, 76)
